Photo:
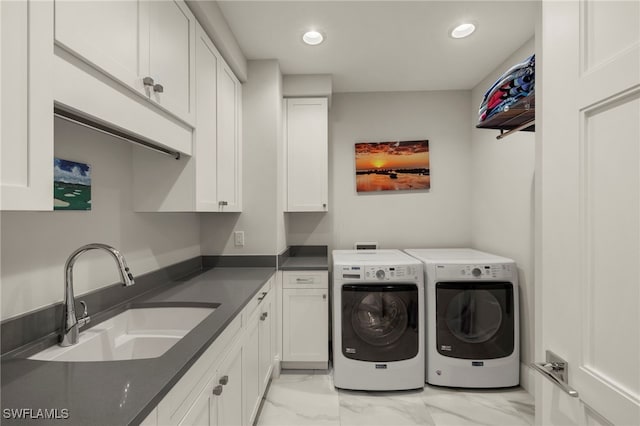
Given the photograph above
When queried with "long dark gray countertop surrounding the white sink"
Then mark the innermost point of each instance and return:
(125, 392)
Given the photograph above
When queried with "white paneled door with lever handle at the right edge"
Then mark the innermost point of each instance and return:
(588, 168)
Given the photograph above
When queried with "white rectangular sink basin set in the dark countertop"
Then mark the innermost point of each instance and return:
(137, 333)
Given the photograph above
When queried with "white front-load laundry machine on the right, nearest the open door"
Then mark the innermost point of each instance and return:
(472, 318)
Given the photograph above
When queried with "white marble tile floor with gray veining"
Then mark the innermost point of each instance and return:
(299, 398)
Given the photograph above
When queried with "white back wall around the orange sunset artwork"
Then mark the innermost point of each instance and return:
(435, 218)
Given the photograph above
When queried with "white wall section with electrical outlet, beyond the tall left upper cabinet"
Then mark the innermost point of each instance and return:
(262, 134)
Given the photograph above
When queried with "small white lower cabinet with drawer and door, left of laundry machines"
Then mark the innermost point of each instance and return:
(305, 319)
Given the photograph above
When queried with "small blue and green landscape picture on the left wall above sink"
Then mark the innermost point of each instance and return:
(71, 185)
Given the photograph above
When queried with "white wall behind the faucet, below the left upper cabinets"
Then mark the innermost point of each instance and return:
(35, 245)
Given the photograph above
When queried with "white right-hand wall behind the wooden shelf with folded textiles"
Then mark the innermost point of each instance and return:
(502, 186)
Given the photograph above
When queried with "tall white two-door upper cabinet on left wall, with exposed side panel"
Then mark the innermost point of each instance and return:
(210, 180)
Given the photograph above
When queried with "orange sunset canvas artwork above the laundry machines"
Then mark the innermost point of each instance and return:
(392, 166)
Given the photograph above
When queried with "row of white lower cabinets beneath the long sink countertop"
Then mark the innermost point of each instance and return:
(225, 385)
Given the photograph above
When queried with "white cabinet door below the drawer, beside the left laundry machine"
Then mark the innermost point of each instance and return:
(305, 325)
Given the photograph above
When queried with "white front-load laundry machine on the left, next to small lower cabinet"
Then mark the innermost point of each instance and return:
(378, 327)
